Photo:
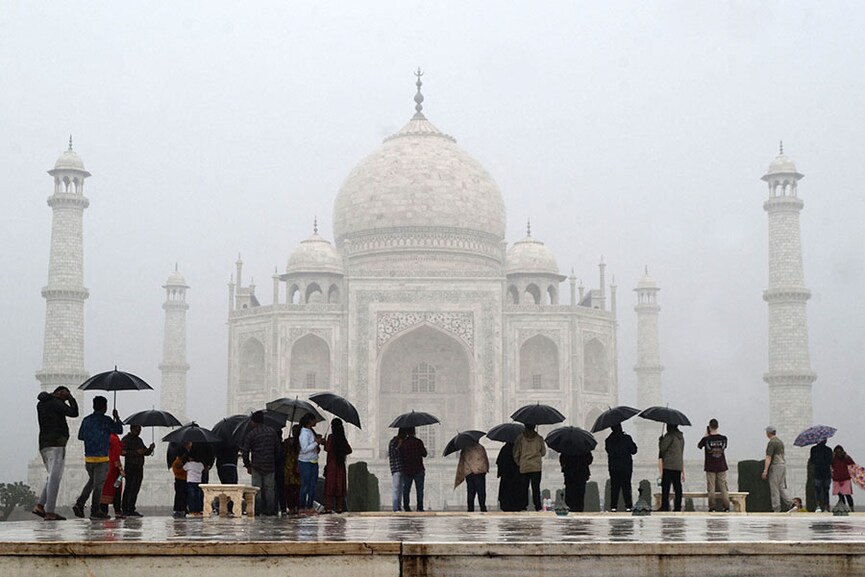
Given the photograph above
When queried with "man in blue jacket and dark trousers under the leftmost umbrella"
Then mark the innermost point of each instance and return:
(95, 431)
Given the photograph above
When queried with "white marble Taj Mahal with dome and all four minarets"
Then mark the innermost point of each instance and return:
(419, 303)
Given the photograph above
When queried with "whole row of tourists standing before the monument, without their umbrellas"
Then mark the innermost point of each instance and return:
(286, 471)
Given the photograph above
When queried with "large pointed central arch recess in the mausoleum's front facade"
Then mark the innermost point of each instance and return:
(425, 369)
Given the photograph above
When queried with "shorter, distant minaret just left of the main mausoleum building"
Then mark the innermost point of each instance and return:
(173, 365)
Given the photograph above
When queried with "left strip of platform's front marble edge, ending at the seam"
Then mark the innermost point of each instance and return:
(215, 548)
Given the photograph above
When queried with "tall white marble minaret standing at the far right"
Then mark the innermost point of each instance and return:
(789, 376)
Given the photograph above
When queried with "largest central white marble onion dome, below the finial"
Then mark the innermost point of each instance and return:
(418, 179)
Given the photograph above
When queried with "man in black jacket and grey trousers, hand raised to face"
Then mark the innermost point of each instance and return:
(52, 410)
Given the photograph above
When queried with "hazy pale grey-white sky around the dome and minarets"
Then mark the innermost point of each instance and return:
(636, 131)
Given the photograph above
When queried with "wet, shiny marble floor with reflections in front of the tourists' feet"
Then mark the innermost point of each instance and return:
(447, 528)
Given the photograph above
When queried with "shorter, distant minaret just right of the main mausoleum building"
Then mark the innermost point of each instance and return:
(648, 367)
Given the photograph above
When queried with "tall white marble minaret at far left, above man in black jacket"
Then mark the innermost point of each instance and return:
(63, 345)
